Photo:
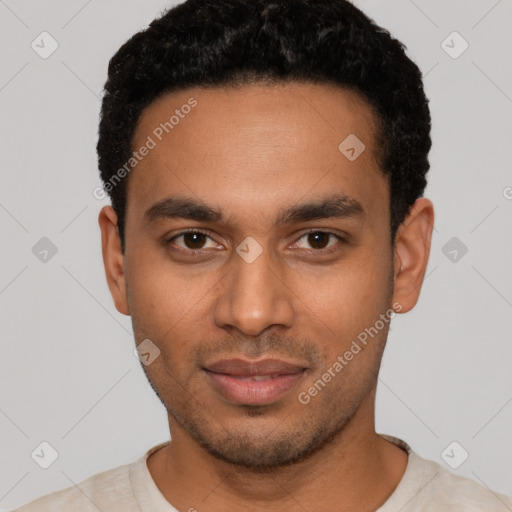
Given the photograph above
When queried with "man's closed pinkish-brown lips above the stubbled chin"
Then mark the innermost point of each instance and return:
(253, 383)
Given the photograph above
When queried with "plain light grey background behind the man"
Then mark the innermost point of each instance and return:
(68, 374)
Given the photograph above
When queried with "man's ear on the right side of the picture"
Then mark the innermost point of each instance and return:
(412, 249)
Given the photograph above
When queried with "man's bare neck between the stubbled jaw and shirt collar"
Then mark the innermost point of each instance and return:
(357, 470)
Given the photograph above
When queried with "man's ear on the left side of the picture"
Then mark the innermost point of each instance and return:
(113, 258)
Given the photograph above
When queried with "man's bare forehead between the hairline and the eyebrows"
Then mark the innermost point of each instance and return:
(257, 147)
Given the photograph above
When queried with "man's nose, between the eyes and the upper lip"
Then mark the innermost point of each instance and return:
(254, 297)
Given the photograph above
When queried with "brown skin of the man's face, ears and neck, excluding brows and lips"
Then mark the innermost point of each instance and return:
(252, 153)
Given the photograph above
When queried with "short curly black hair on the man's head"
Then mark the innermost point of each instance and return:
(220, 43)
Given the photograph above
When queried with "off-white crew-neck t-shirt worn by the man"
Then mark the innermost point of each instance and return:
(425, 487)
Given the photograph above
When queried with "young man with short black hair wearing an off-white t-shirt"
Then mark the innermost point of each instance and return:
(266, 162)
